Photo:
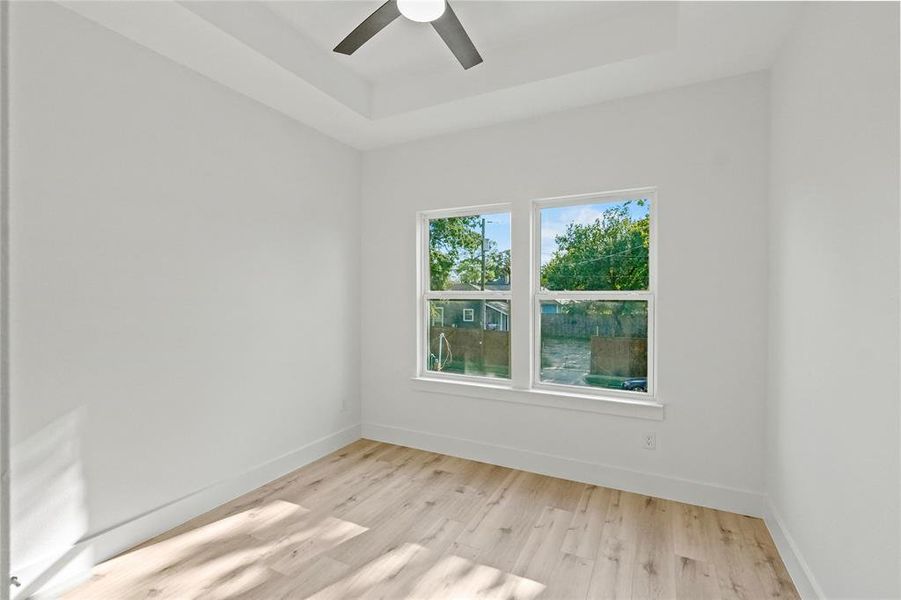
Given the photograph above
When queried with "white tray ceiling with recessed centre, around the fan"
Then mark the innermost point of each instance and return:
(405, 84)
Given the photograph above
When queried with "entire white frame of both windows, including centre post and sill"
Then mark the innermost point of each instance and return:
(525, 297)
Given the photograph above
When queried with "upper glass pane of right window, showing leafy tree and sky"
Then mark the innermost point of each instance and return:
(596, 246)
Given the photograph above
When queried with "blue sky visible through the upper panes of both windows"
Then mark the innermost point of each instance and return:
(553, 223)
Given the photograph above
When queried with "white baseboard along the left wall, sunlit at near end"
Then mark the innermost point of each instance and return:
(49, 581)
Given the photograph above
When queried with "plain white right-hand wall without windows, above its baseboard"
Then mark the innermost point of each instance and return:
(833, 440)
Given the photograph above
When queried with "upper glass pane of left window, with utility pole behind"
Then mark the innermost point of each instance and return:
(470, 253)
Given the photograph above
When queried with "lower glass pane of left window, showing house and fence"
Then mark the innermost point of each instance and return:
(470, 337)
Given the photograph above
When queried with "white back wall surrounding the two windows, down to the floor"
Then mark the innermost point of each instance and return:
(705, 147)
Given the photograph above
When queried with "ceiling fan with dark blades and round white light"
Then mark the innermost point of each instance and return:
(437, 12)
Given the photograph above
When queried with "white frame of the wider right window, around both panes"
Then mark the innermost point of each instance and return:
(641, 295)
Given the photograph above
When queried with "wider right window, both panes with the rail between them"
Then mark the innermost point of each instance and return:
(593, 294)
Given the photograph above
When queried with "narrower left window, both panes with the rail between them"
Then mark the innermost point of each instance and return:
(467, 281)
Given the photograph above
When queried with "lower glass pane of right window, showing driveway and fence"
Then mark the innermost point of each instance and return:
(595, 343)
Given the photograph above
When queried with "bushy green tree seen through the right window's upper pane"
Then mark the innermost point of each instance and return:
(610, 253)
